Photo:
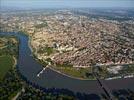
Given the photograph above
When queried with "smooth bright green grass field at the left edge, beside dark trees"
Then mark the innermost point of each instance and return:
(6, 63)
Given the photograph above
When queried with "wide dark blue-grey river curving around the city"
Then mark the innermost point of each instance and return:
(29, 68)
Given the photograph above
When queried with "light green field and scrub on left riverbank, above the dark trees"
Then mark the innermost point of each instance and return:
(8, 53)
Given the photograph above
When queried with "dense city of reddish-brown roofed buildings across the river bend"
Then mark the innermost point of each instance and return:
(75, 39)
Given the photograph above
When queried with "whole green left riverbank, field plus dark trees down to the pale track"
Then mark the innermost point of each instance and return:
(9, 81)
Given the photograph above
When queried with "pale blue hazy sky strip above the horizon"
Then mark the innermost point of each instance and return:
(65, 3)
